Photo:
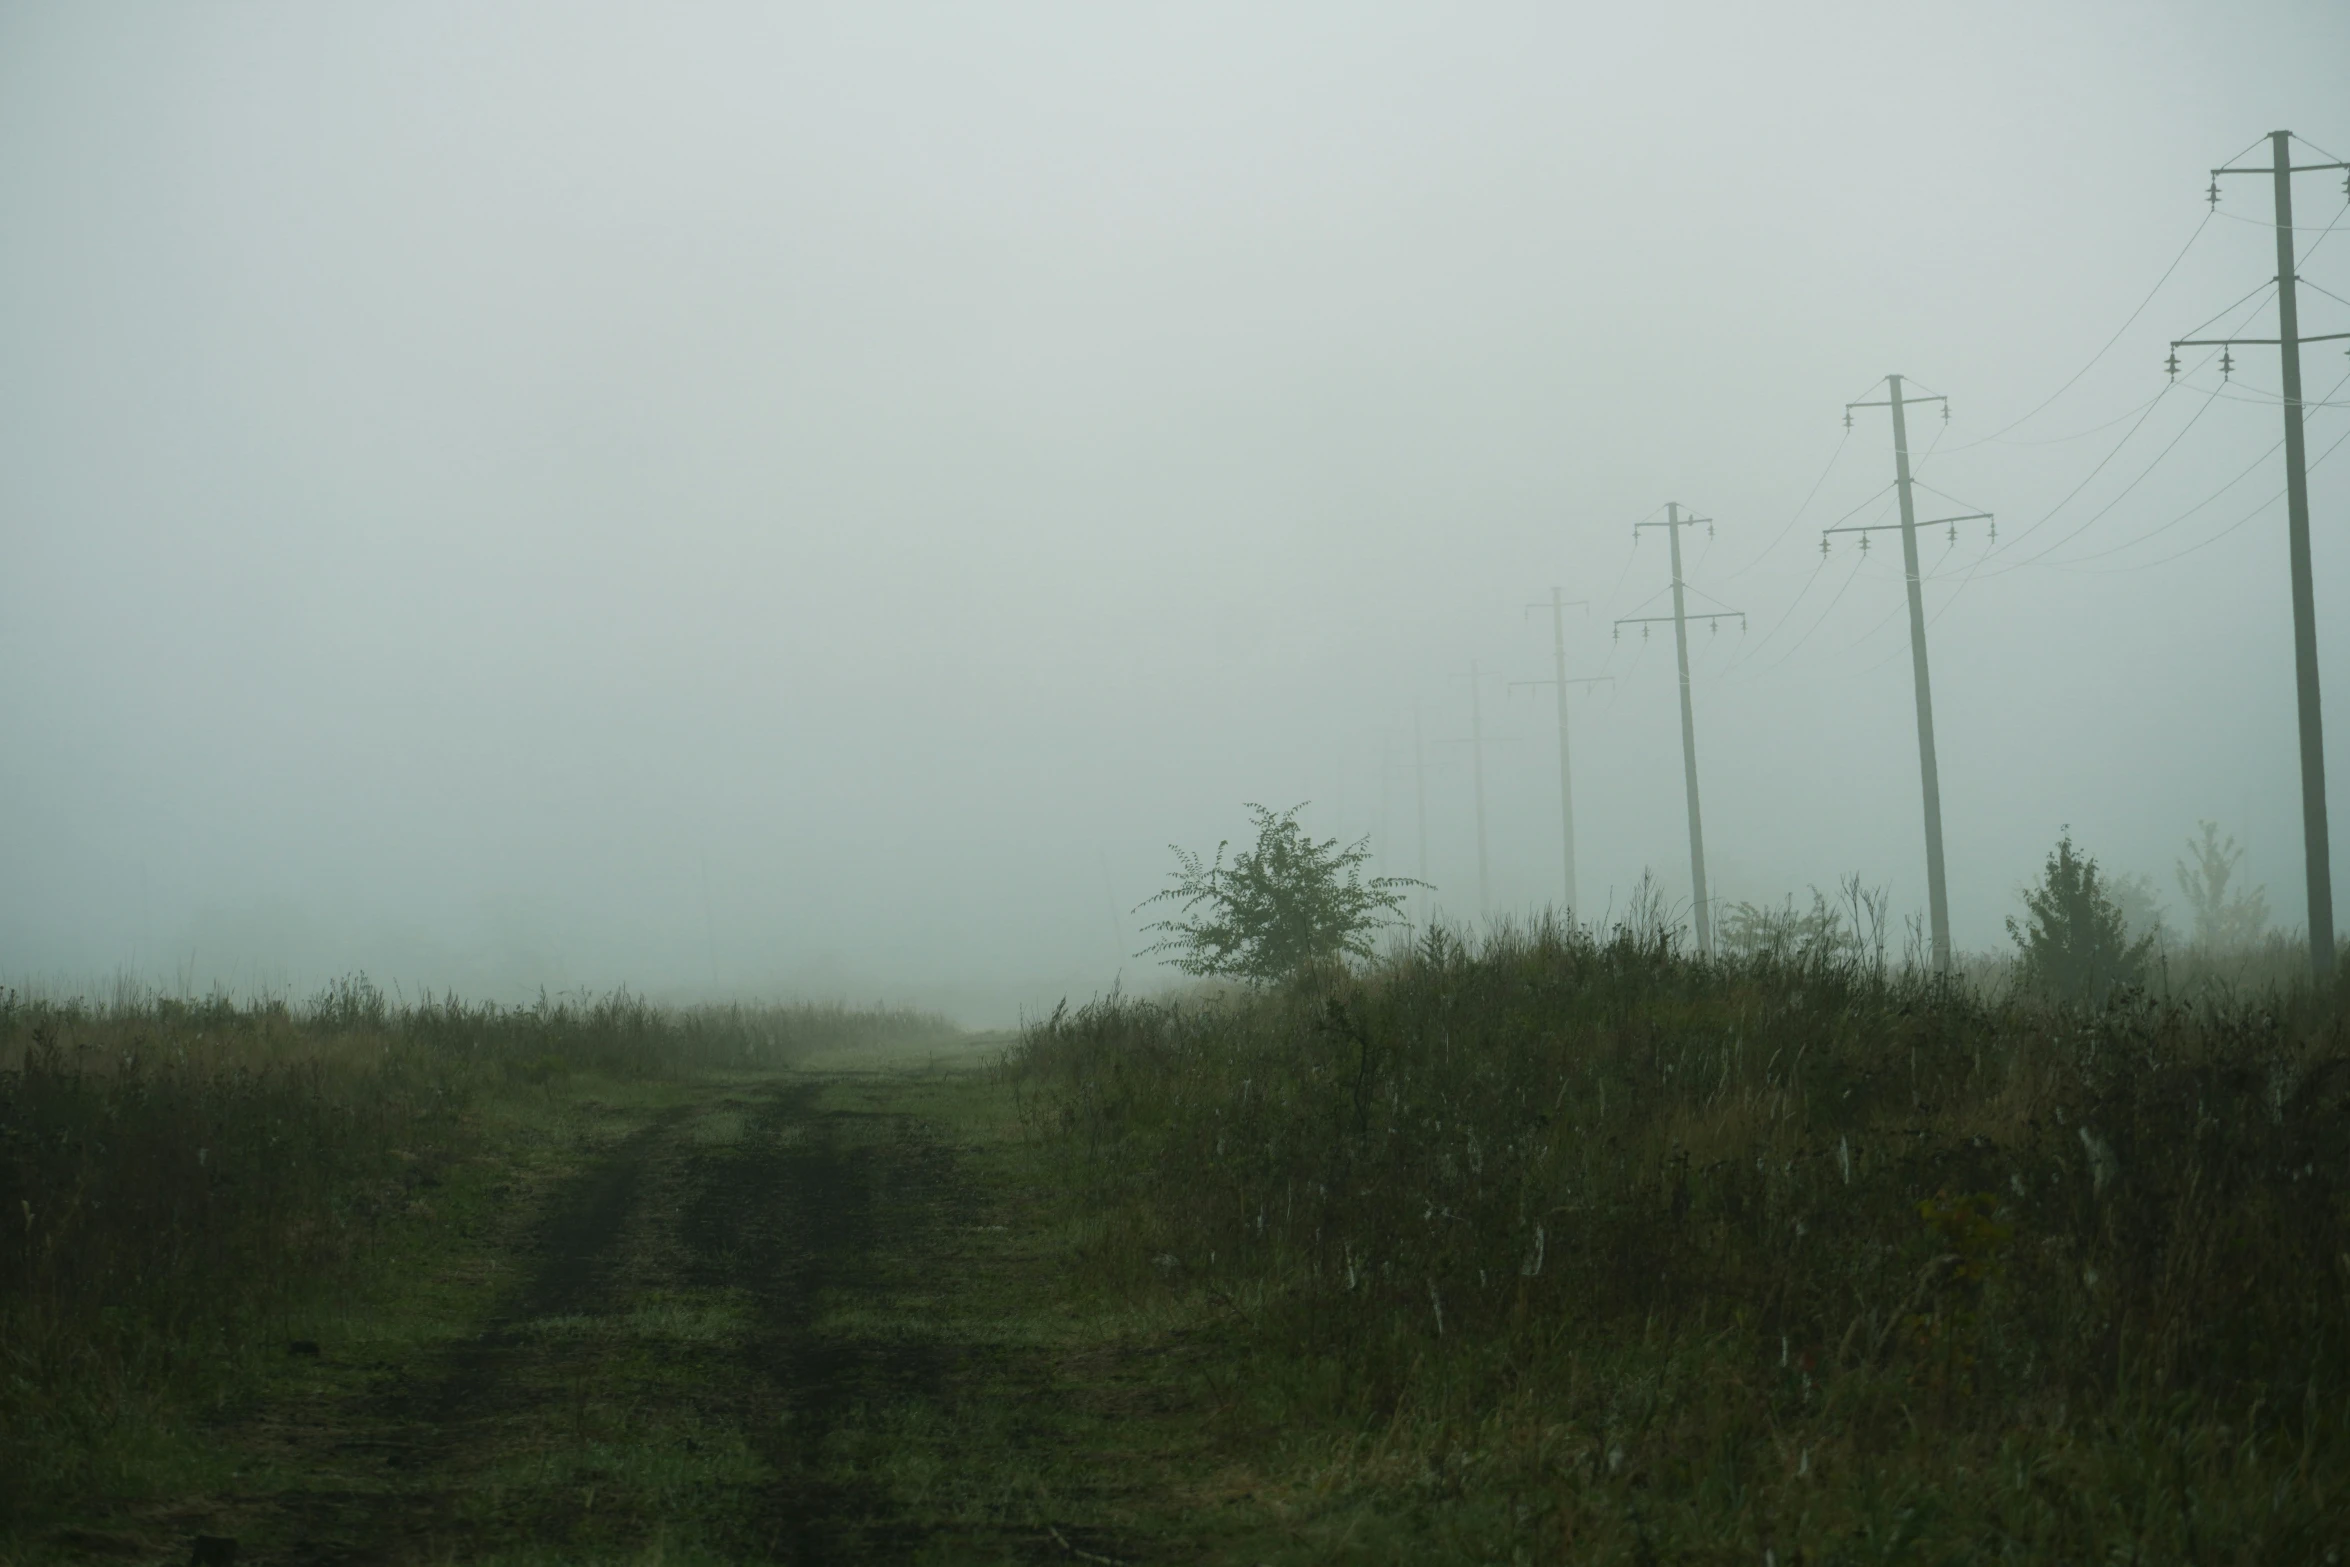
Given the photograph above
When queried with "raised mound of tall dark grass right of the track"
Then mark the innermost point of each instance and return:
(1585, 1249)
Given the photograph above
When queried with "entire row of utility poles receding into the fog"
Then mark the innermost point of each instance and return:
(1900, 401)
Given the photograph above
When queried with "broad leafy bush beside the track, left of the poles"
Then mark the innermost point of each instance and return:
(1280, 908)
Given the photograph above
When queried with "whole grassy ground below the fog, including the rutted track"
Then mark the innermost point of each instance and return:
(1550, 1251)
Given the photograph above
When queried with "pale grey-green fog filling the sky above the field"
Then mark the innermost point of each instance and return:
(751, 502)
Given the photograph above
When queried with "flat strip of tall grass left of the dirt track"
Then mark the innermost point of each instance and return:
(196, 1192)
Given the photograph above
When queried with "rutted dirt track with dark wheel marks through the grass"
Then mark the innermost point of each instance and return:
(791, 1321)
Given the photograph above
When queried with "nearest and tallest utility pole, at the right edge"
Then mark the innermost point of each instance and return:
(2297, 532)
